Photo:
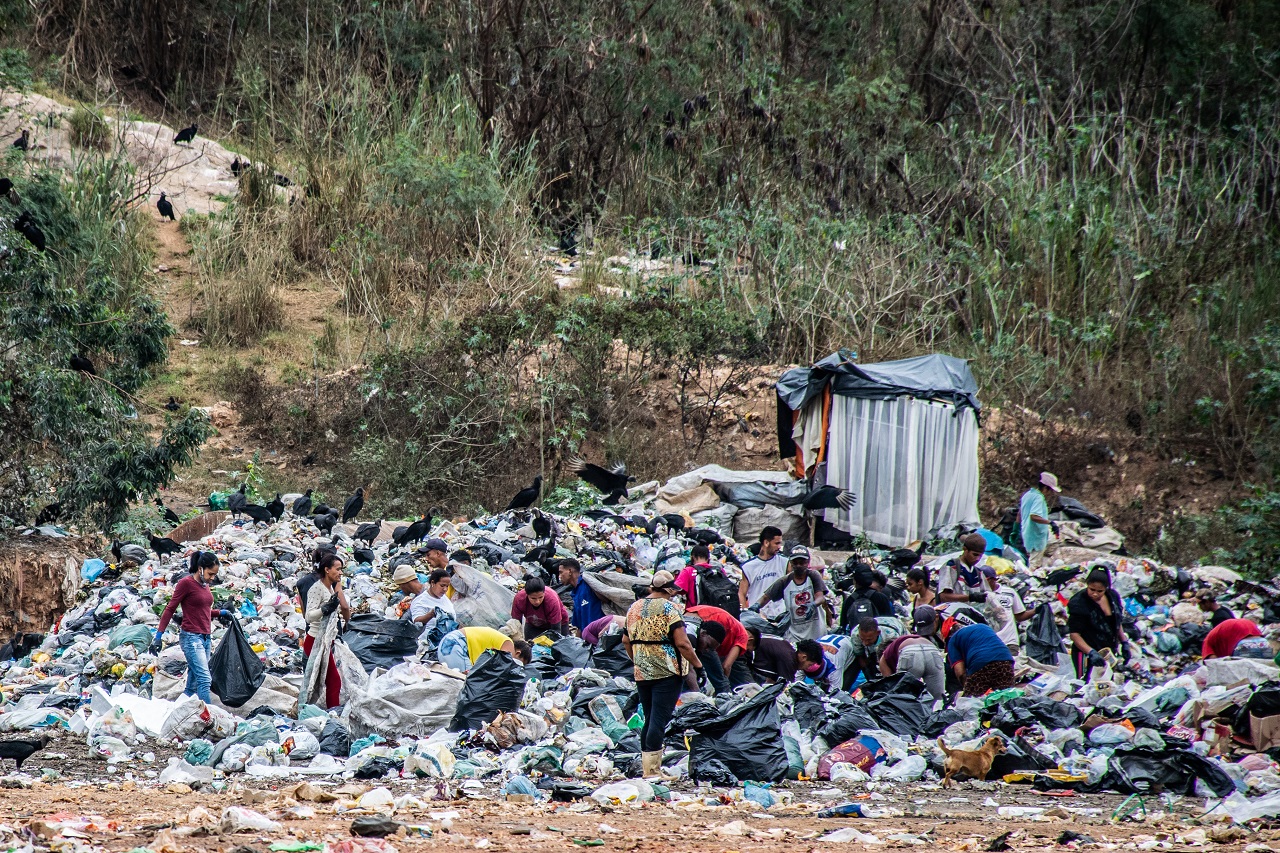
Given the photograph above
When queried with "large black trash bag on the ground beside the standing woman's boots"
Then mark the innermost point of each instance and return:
(747, 740)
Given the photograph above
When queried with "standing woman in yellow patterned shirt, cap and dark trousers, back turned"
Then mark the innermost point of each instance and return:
(660, 649)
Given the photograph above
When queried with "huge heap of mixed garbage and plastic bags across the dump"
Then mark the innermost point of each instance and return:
(566, 726)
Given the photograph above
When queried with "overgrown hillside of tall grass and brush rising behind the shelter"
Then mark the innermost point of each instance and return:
(1078, 197)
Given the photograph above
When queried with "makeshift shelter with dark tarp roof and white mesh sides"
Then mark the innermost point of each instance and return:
(903, 436)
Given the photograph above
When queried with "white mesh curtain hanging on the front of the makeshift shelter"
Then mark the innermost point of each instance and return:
(912, 463)
